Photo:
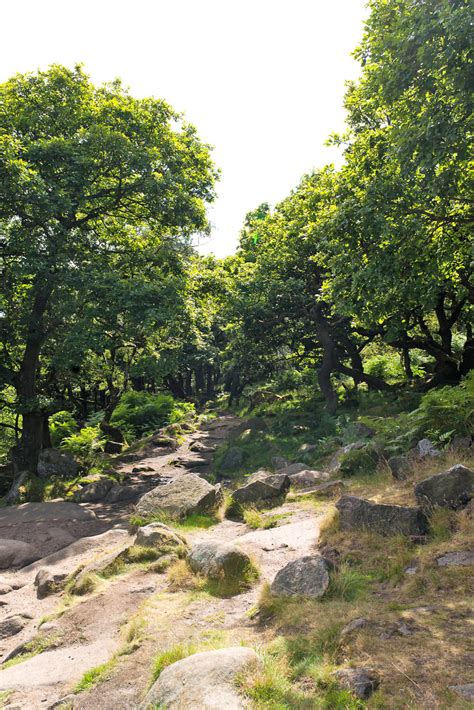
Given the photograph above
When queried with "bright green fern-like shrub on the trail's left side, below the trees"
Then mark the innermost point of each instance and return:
(139, 413)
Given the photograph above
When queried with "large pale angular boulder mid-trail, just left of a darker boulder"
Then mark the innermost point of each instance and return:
(183, 496)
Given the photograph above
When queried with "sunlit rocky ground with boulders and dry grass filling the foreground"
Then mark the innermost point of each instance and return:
(95, 646)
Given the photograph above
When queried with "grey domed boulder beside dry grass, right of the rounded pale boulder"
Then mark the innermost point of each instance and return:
(307, 576)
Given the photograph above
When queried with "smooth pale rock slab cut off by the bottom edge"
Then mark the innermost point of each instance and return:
(203, 680)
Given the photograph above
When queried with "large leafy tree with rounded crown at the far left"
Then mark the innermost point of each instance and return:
(86, 173)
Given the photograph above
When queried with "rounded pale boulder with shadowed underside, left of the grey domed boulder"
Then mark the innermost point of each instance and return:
(218, 559)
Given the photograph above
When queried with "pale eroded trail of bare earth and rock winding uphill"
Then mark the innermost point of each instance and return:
(137, 611)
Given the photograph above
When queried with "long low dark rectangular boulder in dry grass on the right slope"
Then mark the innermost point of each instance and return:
(359, 514)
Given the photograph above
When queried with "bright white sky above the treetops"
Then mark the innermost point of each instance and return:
(262, 80)
